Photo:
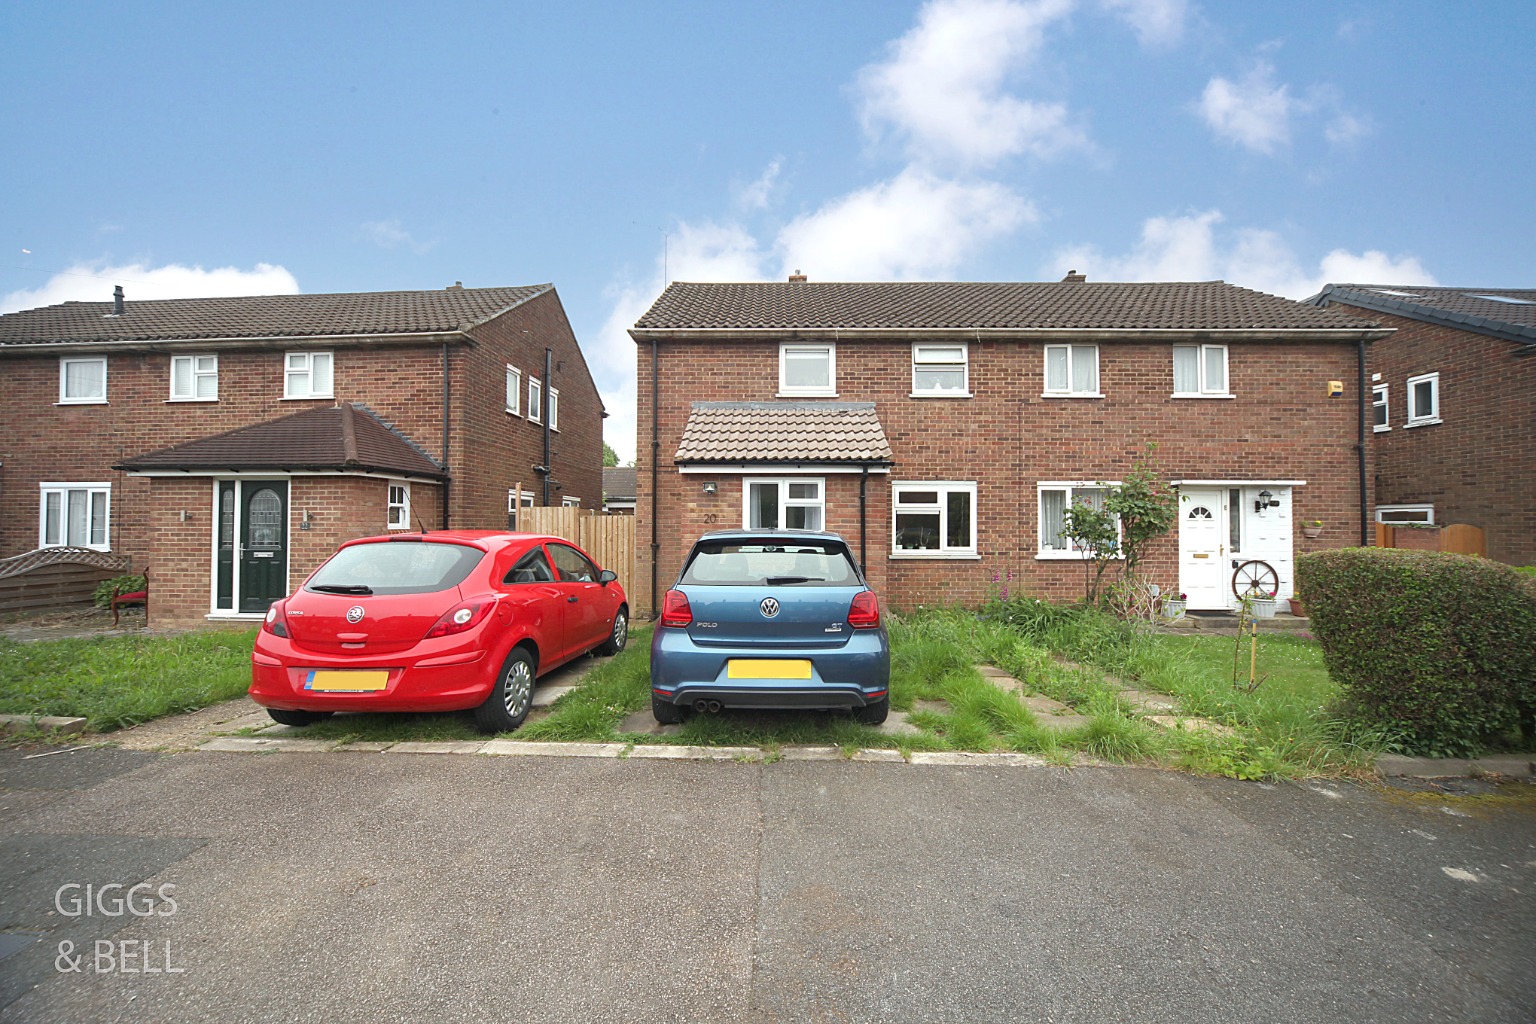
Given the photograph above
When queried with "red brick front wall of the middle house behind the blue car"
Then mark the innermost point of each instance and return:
(1280, 426)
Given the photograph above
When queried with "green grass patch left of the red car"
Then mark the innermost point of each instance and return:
(116, 682)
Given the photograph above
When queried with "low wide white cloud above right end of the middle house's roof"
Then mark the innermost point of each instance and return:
(1194, 249)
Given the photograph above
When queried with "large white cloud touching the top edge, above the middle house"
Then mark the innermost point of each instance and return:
(944, 85)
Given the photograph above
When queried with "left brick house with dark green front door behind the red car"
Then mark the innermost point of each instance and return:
(230, 444)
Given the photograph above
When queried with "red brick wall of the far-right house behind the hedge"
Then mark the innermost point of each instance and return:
(1478, 466)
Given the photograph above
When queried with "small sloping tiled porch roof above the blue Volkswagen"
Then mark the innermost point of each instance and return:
(784, 432)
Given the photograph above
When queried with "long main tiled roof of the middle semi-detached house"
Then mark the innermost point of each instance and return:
(984, 306)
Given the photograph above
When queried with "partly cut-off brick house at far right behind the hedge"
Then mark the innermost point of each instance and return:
(1454, 408)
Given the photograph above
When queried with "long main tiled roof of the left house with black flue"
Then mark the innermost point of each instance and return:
(348, 314)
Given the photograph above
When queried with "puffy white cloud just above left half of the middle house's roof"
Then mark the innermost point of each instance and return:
(912, 226)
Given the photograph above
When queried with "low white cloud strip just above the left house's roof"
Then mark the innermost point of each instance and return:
(93, 283)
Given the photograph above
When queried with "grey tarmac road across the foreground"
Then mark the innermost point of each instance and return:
(434, 888)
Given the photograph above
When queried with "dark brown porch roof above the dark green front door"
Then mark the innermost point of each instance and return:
(345, 437)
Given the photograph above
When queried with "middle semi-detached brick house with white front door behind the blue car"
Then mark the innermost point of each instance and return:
(945, 428)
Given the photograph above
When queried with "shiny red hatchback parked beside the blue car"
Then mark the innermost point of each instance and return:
(435, 623)
